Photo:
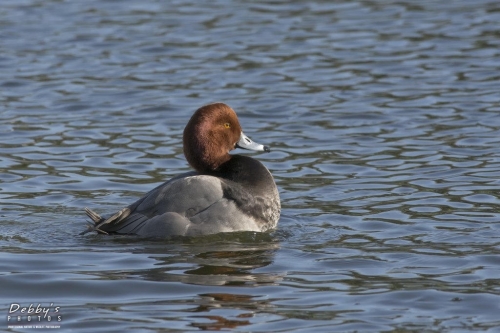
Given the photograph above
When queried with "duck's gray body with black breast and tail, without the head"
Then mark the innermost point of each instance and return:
(241, 196)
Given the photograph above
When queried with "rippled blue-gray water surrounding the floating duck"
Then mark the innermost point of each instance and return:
(384, 121)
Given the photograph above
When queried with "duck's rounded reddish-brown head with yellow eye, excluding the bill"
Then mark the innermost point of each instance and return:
(210, 134)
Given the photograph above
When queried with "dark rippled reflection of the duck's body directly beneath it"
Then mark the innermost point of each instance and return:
(214, 260)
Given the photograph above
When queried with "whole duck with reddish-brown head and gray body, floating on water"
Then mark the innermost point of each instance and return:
(226, 192)
